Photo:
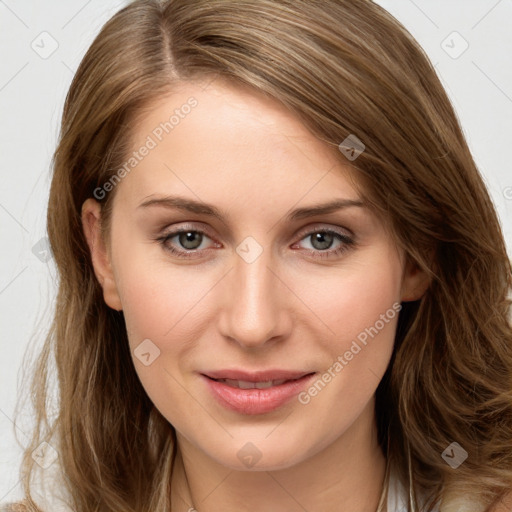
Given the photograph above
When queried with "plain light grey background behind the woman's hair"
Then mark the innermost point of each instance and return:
(33, 85)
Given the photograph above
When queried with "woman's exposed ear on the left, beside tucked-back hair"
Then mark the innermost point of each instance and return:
(91, 223)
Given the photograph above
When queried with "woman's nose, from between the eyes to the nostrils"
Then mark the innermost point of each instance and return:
(256, 307)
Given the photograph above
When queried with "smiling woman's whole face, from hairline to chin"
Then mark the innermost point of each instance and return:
(263, 288)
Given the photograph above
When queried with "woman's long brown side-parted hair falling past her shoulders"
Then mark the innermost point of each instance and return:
(343, 67)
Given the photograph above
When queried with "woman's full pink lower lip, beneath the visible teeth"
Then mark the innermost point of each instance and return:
(256, 401)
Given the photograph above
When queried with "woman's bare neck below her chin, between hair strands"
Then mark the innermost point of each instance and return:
(347, 475)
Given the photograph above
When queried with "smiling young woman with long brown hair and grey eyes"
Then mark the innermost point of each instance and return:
(337, 339)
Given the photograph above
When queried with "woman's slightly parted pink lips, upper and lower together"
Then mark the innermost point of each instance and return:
(257, 392)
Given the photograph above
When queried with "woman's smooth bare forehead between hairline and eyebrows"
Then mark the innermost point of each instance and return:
(223, 142)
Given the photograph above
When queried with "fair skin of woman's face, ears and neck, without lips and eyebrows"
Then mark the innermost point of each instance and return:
(287, 309)
